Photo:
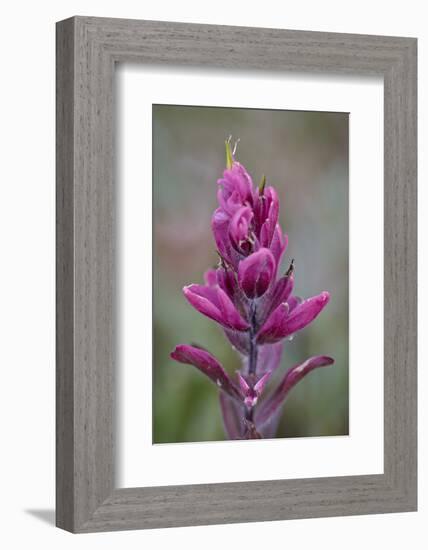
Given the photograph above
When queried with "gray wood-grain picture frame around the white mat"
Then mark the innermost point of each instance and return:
(87, 50)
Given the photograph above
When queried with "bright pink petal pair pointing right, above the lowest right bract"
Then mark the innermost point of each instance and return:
(283, 323)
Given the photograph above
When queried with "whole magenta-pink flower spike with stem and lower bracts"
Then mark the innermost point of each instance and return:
(256, 309)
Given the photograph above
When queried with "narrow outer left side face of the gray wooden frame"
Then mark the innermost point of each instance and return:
(64, 277)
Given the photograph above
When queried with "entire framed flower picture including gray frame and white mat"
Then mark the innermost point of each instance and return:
(236, 274)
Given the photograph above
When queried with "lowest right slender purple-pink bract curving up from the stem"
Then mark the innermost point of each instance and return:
(296, 373)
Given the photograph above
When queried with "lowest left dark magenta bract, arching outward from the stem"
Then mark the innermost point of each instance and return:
(207, 364)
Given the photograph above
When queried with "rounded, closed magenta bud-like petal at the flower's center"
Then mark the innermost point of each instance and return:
(255, 273)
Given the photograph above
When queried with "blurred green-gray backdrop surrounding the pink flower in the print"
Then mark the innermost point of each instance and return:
(305, 156)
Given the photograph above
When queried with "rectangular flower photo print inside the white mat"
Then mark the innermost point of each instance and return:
(250, 271)
